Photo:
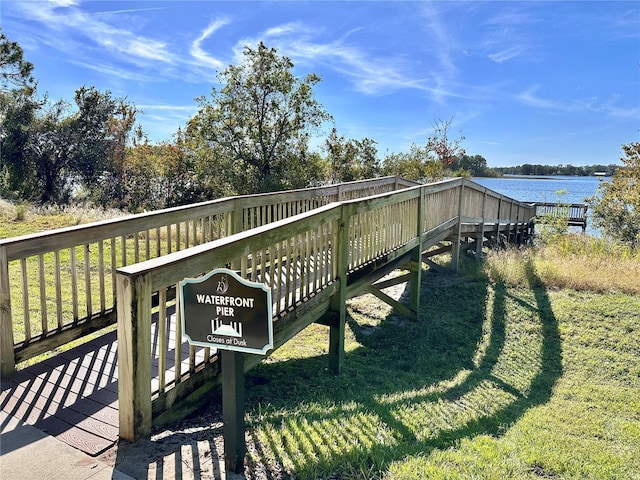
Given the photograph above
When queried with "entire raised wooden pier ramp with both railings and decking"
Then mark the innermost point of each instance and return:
(313, 248)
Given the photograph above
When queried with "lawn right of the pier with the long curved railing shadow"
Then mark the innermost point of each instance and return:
(494, 381)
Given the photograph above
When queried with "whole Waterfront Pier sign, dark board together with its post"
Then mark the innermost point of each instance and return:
(224, 311)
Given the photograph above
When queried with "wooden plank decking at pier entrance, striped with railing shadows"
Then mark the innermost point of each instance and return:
(72, 396)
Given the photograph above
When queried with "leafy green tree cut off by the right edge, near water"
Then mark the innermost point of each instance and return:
(616, 205)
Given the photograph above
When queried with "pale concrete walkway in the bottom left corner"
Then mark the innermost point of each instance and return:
(28, 453)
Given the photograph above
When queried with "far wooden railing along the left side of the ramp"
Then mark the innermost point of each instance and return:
(59, 285)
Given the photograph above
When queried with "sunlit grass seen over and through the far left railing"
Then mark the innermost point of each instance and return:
(22, 220)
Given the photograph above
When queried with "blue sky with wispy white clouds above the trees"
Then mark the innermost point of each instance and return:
(552, 82)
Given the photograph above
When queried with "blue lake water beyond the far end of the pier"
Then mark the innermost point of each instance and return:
(544, 189)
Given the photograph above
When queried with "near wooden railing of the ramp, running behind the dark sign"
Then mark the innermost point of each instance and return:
(312, 262)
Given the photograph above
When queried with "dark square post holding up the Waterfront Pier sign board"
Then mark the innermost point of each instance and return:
(233, 409)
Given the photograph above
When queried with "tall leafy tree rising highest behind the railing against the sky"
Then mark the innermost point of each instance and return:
(259, 123)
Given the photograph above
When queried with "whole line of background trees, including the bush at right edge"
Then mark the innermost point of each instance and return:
(250, 135)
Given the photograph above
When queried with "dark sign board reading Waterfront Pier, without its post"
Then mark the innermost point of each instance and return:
(225, 311)
